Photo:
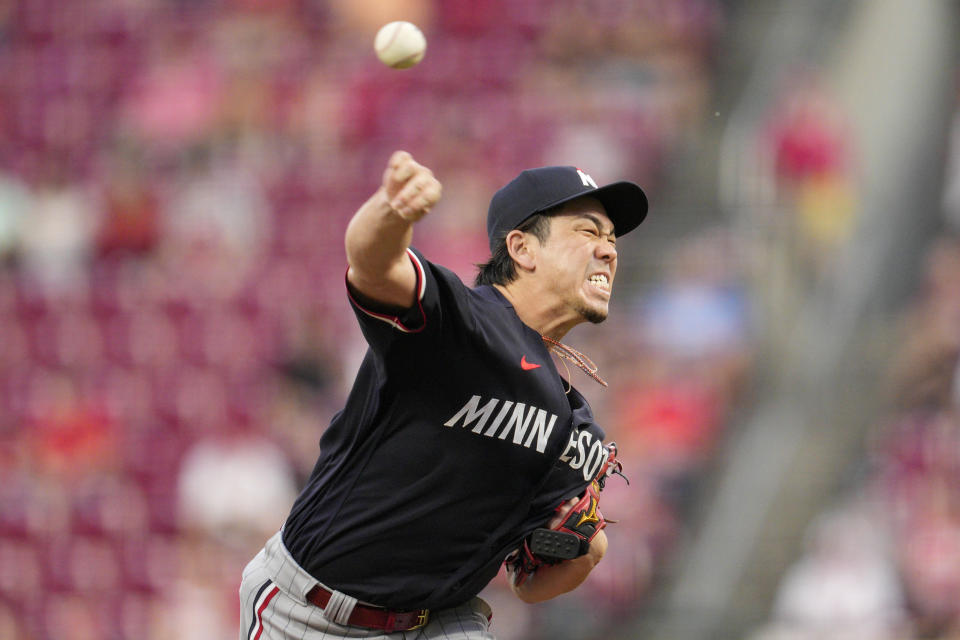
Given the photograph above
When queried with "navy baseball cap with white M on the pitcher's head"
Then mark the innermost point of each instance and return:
(536, 190)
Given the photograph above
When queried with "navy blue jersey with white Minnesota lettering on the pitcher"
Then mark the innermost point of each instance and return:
(458, 439)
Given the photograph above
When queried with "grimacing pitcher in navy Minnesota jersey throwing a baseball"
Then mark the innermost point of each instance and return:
(461, 446)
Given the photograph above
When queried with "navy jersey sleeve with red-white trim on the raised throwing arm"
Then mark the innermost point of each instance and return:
(439, 294)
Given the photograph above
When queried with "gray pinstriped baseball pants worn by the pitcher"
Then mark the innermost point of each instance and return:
(273, 607)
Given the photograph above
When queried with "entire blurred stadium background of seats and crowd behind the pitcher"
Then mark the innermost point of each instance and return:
(175, 179)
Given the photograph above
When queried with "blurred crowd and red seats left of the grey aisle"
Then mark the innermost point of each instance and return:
(175, 180)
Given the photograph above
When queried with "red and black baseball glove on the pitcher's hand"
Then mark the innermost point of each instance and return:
(569, 537)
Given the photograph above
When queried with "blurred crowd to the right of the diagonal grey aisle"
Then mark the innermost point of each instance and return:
(883, 561)
